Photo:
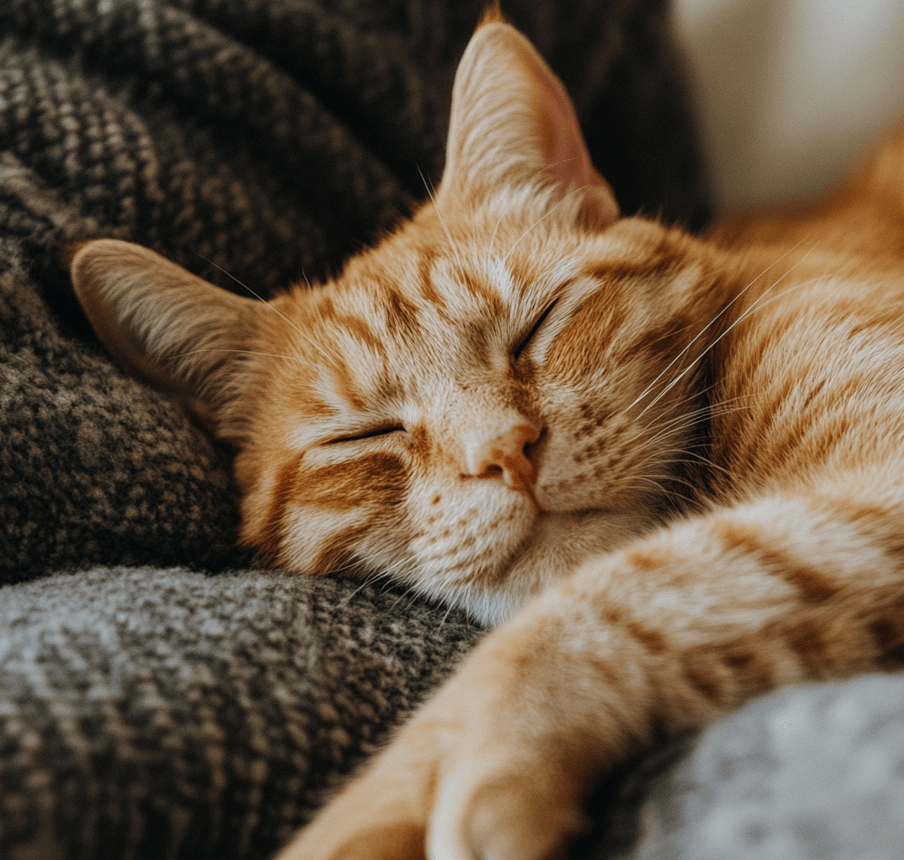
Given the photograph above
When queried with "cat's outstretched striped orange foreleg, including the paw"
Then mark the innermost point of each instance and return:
(659, 638)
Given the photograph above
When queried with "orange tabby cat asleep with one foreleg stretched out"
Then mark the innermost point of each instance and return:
(672, 465)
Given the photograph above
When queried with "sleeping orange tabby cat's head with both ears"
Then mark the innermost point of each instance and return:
(502, 386)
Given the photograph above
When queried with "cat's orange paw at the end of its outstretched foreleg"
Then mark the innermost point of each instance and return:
(492, 768)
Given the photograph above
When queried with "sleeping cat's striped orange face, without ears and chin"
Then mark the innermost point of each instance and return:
(456, 390)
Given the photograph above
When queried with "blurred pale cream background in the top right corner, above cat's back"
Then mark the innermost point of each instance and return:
(789, 91)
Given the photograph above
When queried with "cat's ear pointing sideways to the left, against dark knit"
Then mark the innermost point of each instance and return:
(163, 324)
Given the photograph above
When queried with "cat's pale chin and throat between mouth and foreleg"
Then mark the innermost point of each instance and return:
(557, 545)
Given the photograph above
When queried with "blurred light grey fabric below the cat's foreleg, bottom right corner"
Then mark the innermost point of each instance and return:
(812, 772)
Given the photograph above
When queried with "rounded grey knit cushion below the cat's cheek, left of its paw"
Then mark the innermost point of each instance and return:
(164, 713)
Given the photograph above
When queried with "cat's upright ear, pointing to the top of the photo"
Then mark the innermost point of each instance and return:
(512, 120)
